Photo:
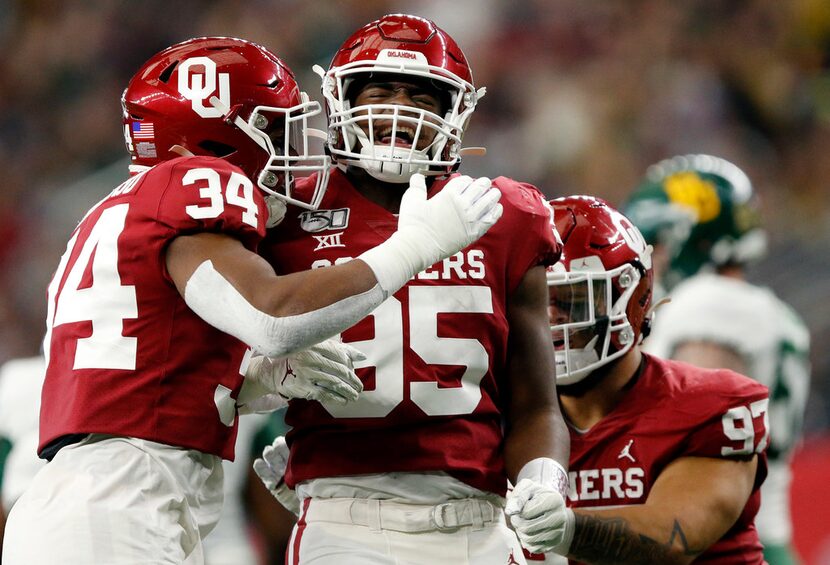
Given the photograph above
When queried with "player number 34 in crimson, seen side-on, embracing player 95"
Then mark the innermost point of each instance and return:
(160, 298)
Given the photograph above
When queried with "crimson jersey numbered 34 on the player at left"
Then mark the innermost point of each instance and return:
(126, 356)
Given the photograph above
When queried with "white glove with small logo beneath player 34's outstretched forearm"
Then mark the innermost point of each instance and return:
(323, 372)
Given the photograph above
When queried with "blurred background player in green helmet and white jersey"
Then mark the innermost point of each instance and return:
(717, 318)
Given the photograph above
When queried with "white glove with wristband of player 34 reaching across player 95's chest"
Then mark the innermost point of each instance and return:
(434, 229)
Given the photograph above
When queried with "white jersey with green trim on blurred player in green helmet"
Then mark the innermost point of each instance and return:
(774, 343)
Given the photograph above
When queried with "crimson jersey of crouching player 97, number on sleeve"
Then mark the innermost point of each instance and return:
(674, 410)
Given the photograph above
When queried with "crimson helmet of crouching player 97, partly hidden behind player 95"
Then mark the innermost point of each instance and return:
(600, 290)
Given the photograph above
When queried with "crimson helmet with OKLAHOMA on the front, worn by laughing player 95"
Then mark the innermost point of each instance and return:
(413, 48)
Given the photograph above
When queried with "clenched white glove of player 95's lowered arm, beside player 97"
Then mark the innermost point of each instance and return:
(538, 514)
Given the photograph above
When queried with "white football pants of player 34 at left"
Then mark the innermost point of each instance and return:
(119, 501)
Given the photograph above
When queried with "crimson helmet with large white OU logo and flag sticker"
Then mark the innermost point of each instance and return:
(228, 98)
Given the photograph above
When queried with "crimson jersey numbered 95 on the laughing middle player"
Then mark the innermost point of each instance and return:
(437, 348)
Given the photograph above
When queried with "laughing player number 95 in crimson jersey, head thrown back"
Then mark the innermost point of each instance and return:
(458, 396)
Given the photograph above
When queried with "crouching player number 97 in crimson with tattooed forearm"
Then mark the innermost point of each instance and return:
(667, 459)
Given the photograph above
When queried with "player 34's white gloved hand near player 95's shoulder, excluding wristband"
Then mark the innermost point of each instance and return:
(455, 217)
